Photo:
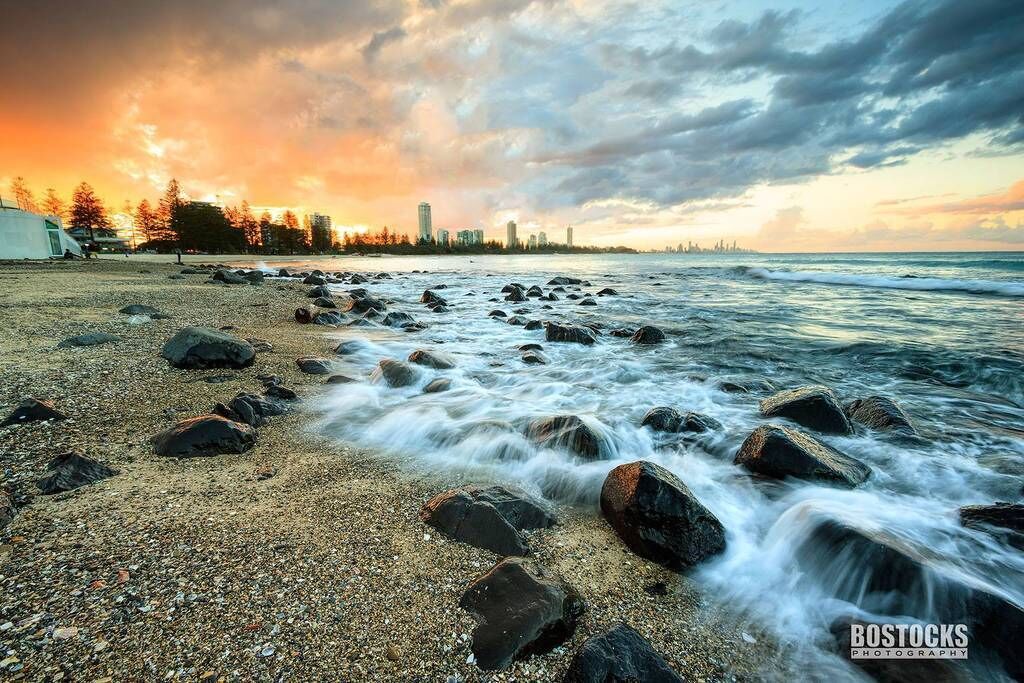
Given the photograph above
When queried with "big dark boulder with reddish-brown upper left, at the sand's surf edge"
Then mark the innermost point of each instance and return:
(659, 518)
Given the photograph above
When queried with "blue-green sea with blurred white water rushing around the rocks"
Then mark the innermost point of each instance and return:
(942, 334)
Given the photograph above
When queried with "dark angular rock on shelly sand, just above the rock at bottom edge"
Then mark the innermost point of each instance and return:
(522, 611)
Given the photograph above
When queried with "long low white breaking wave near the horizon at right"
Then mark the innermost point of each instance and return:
(1012, 289)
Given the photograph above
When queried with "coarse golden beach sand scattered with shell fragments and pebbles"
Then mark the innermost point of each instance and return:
(300, 560)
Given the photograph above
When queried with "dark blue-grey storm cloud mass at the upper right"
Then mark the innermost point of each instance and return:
(923, 75)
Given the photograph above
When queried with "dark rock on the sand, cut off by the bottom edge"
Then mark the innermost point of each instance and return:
(619, 656)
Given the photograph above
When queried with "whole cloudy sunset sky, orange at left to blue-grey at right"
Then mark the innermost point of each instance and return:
(785, 125)
